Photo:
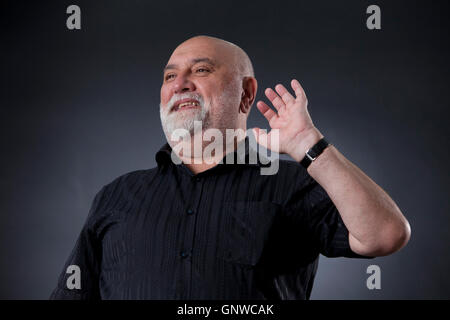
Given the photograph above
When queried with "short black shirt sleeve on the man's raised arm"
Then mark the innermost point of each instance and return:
(324, 223)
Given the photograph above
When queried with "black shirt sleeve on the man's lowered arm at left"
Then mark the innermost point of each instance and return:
(79, 279)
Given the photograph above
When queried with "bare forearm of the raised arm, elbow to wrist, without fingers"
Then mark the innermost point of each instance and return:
(376, 225)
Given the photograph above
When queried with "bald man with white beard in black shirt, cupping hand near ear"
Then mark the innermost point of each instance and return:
(219, 229)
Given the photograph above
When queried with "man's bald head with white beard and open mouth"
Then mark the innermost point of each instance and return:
(210, 80)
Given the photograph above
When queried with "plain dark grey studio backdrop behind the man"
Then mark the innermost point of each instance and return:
(79, 108)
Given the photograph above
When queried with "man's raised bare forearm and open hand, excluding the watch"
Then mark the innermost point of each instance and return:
(376, 225)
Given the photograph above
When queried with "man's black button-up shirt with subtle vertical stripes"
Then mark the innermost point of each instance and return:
(226, 233)
